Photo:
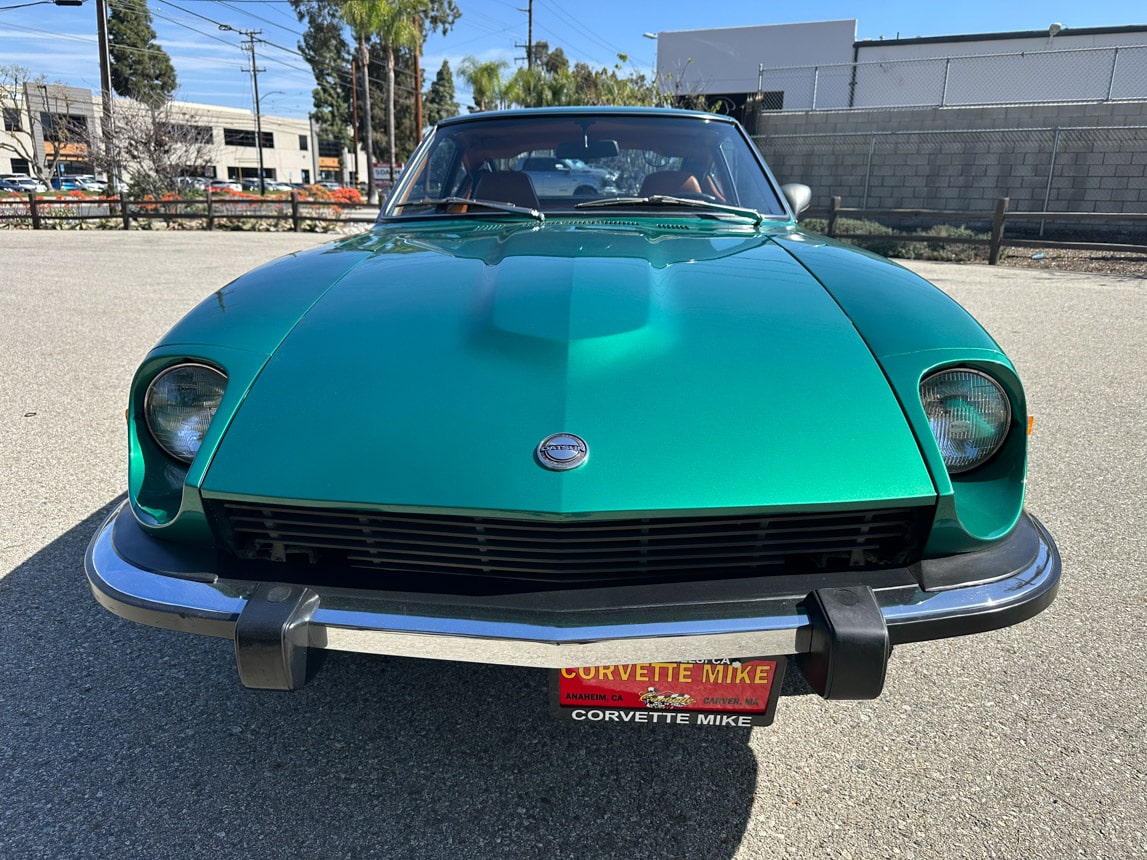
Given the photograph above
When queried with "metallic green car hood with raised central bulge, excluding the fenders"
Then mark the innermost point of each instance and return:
(706, 371)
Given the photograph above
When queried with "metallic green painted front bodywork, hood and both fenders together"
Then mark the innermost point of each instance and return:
(707, 368)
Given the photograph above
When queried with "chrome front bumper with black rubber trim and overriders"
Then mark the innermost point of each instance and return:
(276, 626)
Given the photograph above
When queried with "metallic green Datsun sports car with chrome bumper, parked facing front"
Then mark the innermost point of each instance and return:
(656, 439)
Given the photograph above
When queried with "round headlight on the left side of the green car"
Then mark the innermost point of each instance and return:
(180, 406)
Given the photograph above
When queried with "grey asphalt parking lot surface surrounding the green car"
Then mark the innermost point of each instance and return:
(121, 741)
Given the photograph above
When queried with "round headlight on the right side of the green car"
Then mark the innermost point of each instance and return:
(970, 416)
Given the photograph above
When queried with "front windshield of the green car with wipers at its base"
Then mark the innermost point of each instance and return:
(587, 163)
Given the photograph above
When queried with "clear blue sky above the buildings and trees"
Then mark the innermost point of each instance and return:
(60, 43)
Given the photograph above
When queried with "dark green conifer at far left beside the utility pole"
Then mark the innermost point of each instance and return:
(141, 69)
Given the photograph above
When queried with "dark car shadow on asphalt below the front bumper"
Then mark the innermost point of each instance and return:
(127, 741)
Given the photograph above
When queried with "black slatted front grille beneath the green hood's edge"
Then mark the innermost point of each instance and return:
(573, 551)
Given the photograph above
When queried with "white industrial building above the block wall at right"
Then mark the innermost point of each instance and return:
(823, 67)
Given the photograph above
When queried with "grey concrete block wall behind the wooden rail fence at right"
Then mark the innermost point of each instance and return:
(1072, 158)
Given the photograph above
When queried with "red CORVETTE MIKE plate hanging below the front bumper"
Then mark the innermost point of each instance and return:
(704, 693)
